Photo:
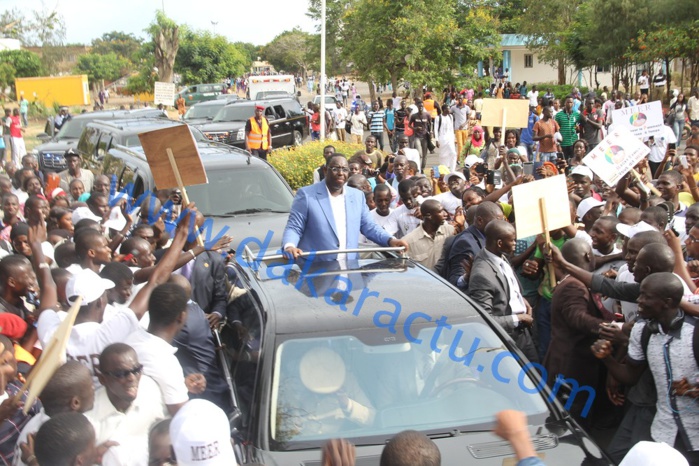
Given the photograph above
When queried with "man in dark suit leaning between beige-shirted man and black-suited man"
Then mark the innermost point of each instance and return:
(467, 244)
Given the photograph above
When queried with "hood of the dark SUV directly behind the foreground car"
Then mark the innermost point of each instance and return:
(252, 230)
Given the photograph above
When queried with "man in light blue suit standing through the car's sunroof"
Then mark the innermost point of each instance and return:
(329, 215)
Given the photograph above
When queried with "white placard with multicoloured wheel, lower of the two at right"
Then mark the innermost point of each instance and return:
(616, 155)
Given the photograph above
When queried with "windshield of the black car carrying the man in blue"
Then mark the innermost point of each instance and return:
(358, 386)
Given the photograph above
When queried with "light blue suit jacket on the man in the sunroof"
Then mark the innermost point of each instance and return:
(311, 224)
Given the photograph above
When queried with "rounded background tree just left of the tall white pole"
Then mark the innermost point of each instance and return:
(290, 51)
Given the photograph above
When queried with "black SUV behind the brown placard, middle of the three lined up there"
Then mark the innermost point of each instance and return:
(99, 136)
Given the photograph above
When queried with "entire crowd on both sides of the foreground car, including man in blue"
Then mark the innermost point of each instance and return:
(610, 302)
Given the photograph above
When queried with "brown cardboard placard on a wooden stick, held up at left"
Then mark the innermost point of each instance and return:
(181, 143)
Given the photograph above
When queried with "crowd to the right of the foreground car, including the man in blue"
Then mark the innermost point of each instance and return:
(609, 303)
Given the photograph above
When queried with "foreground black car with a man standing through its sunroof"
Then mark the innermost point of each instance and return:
(361, 351)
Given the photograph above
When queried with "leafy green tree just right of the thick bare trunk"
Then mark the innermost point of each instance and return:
(203, 57)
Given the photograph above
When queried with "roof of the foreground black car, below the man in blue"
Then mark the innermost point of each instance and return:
(373, 284)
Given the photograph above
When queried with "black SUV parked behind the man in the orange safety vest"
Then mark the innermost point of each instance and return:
(286, 120)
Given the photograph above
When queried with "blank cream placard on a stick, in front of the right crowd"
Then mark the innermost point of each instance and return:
(529, 218)
